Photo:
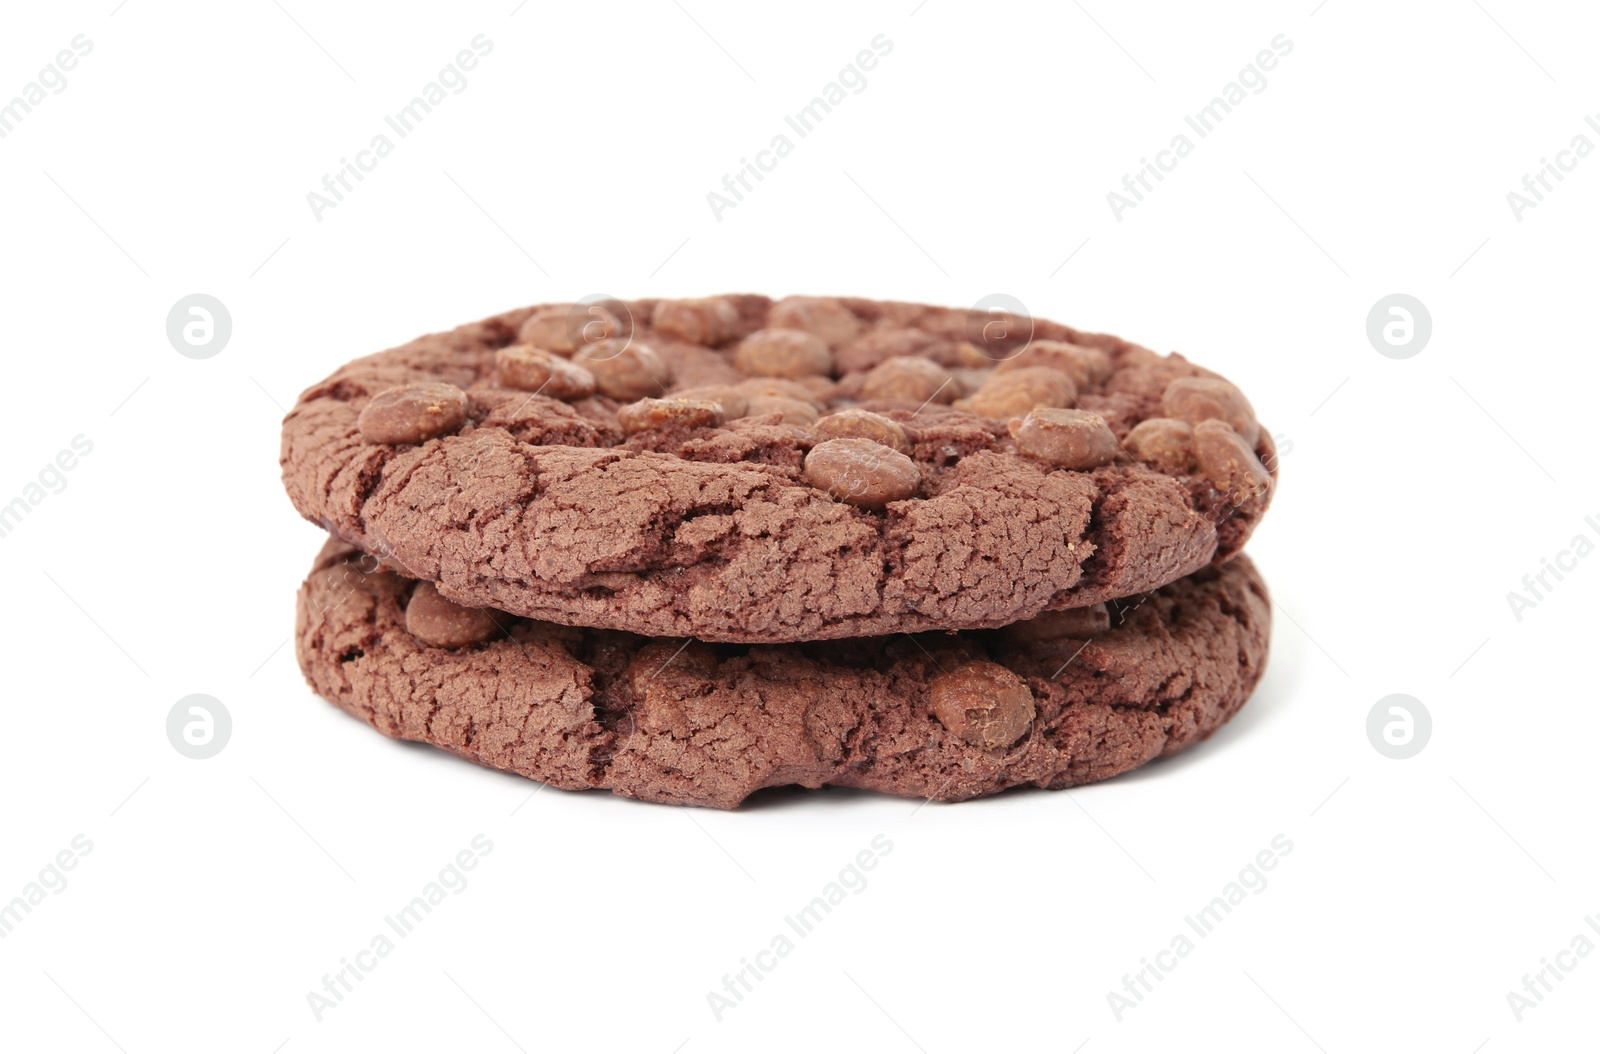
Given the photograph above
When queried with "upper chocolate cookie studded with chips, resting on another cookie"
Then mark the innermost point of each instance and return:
(743, 469)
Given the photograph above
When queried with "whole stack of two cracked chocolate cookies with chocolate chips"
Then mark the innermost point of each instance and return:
(690, 549)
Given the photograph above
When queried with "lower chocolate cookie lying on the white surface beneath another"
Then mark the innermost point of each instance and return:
(1063, 700)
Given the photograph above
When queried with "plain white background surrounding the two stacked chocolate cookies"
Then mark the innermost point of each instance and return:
(977, 161)
